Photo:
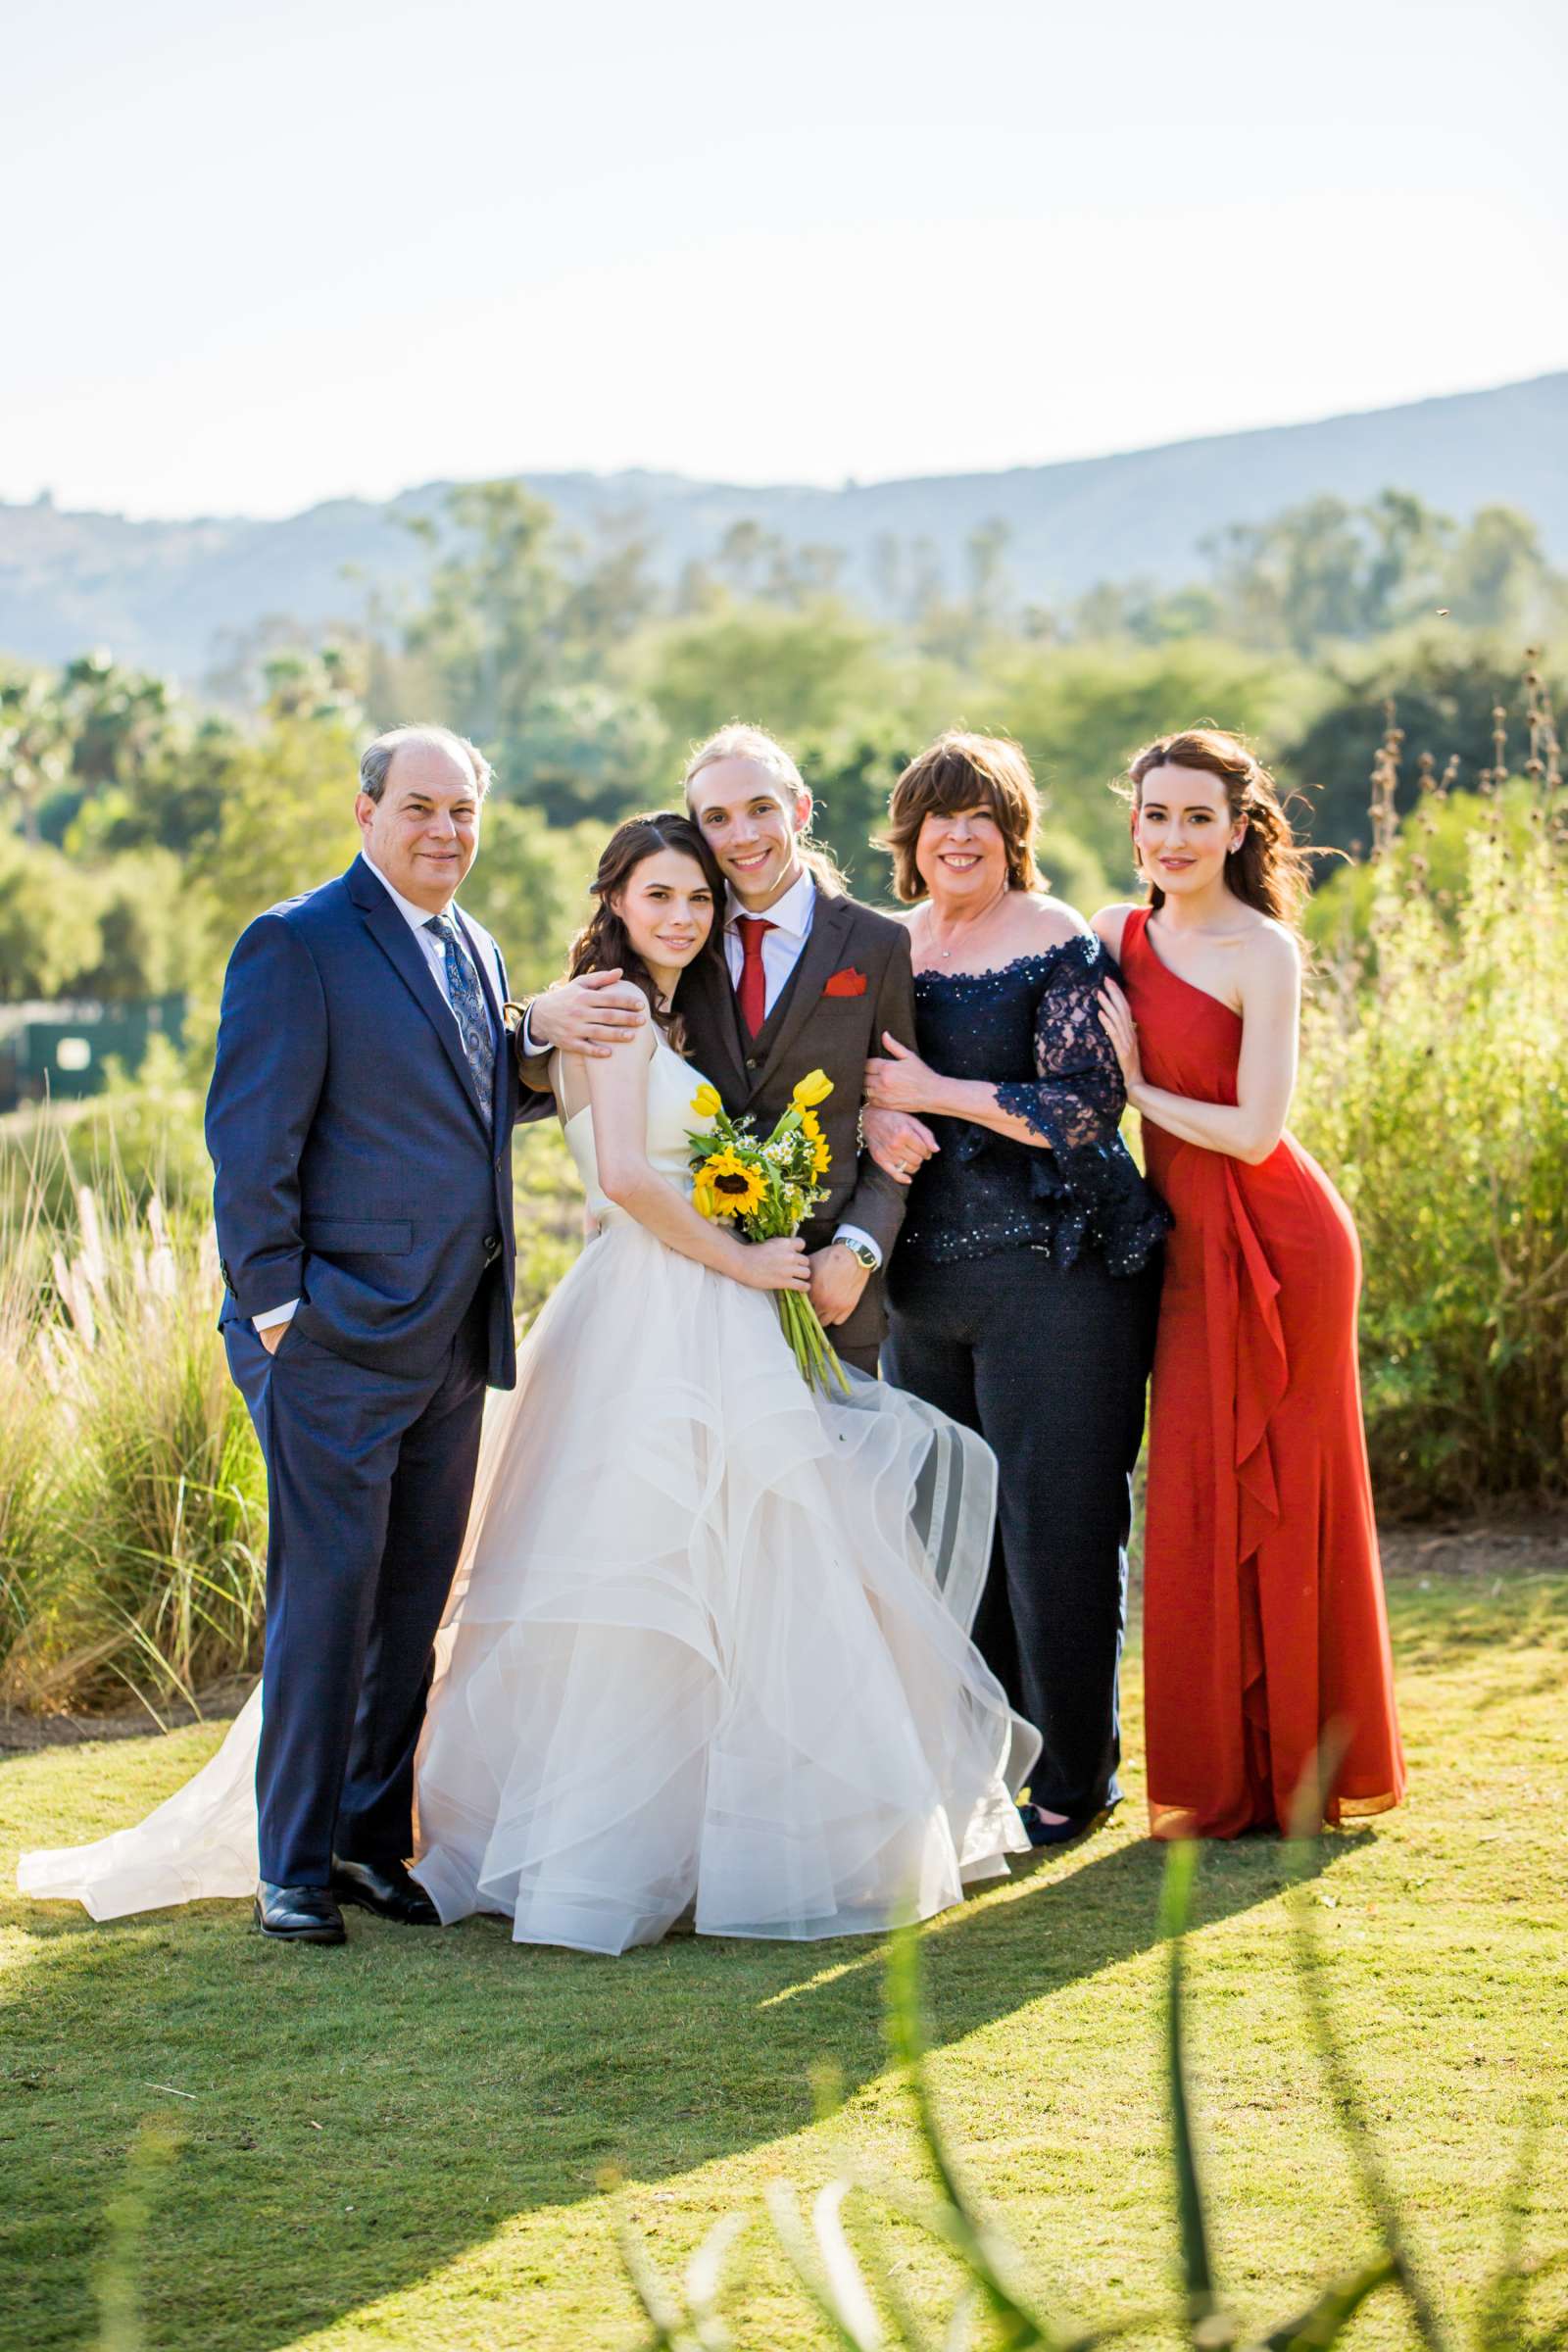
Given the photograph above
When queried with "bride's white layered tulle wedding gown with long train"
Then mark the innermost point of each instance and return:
(706, 1650)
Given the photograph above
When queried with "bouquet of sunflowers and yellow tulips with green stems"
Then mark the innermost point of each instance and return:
(768, 1189)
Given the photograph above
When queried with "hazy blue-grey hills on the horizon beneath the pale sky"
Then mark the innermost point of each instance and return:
(168, 594)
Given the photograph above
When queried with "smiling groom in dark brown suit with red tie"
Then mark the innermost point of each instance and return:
(815, 984)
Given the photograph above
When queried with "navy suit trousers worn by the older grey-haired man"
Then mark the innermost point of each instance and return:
(370, 1478)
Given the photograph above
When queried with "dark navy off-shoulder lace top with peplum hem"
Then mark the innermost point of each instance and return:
(1033, 1029)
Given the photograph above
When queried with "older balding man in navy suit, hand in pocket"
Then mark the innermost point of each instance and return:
(361, 1121)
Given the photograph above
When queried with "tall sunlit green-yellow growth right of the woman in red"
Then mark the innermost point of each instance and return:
(1435, 1093)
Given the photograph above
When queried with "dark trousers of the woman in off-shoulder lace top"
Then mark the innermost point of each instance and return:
(1050, 1365)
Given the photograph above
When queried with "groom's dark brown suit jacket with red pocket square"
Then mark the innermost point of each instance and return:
(810, 1029)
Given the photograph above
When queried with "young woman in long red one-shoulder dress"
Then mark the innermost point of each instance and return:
(1264, 1598)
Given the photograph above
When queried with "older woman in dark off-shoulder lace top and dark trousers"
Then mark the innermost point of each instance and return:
(1026, 1281)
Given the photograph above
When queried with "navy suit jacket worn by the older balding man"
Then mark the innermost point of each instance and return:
(351, 1158)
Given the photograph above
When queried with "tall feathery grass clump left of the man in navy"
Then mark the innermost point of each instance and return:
(133, 1499)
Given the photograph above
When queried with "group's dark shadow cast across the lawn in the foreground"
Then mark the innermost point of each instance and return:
(356, 2120)
